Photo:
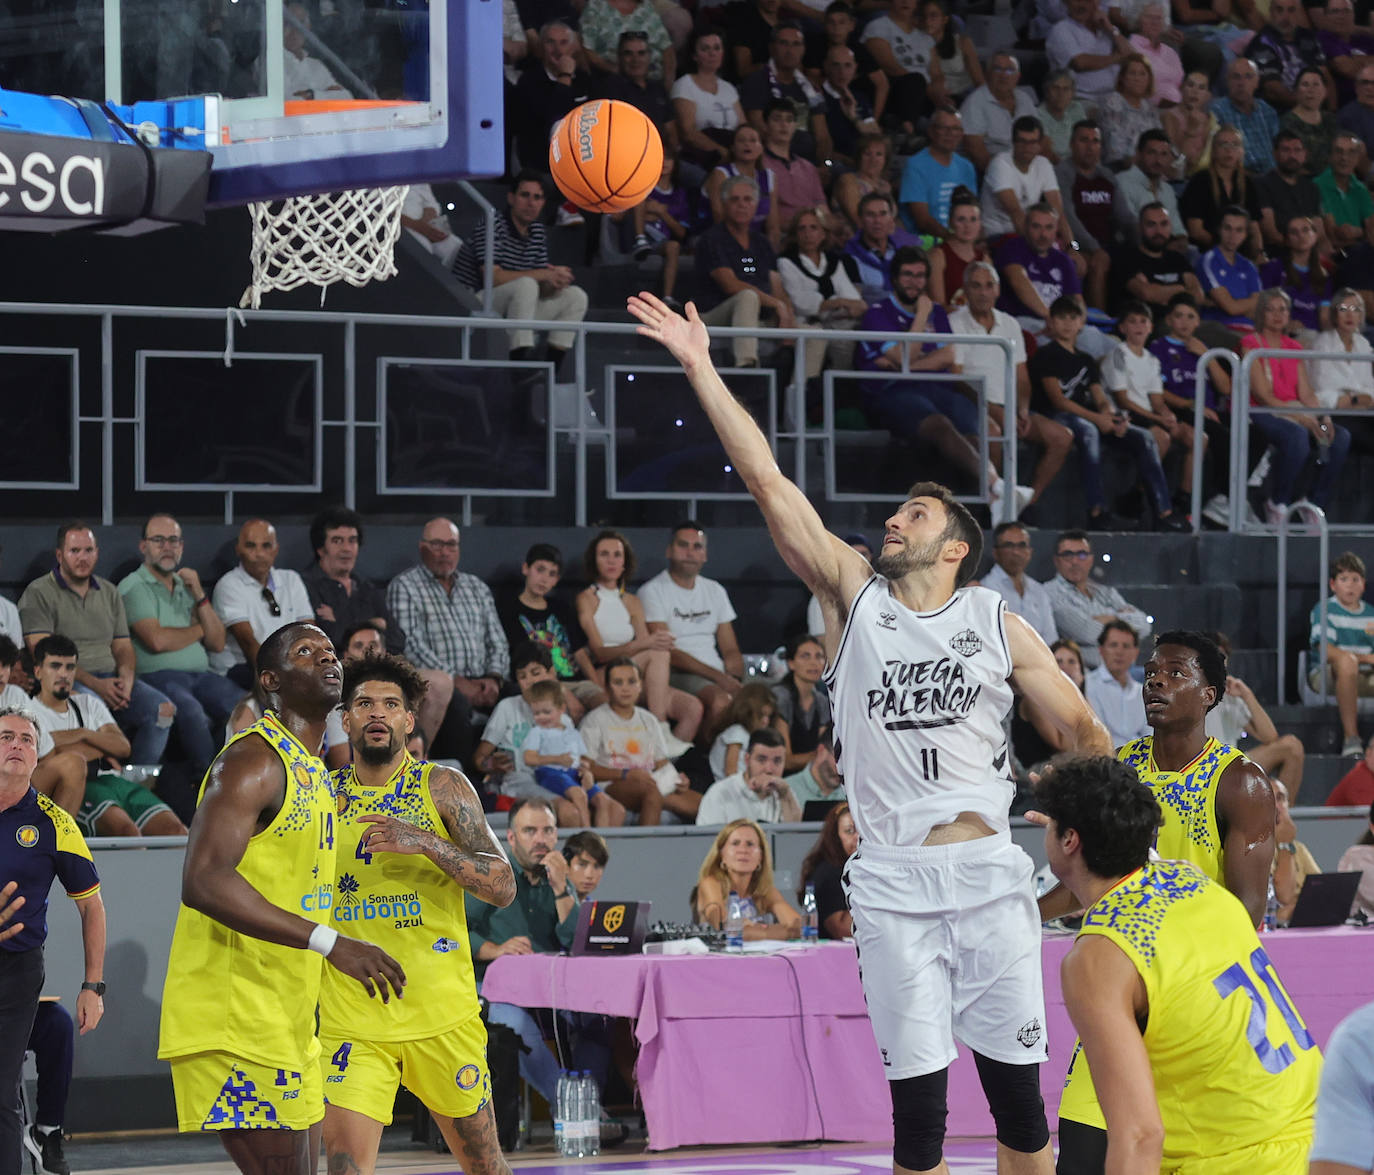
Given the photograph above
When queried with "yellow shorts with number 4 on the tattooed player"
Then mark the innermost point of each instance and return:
(447, 1073)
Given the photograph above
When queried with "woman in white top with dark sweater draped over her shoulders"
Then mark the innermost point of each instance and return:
(821, 291)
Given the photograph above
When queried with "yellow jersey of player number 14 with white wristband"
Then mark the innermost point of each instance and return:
(236, 994)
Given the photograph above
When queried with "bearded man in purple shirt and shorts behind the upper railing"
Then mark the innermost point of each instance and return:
(935, 413)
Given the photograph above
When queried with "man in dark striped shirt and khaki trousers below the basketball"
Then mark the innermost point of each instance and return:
(526, 287)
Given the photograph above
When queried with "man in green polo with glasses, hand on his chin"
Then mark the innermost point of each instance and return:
(175, 630)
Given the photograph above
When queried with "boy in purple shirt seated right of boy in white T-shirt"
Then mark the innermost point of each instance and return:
(1178, 351)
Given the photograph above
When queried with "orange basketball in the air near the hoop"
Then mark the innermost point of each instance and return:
(605, 156)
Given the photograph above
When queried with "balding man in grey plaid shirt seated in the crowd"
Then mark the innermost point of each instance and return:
(451, 625)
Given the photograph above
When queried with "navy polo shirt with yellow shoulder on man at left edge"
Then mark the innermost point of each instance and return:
(39, 842)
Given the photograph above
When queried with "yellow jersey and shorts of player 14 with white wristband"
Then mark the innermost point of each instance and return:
(238, 1014)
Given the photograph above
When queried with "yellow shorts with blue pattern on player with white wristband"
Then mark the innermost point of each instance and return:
(225, 1092)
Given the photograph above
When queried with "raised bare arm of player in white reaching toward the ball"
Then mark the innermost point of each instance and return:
(831, 568)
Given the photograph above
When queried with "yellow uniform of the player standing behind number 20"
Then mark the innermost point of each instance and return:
(1191, 832)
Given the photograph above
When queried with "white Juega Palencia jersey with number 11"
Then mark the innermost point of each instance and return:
(920, 702)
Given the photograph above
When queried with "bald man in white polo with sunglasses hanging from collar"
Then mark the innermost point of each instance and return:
(256, 600)
